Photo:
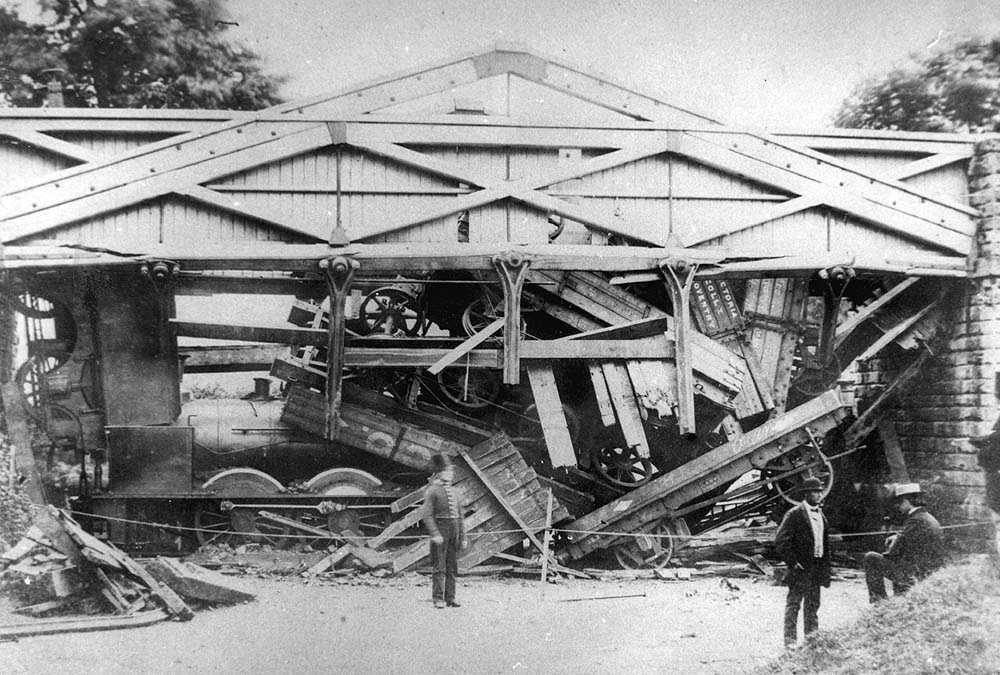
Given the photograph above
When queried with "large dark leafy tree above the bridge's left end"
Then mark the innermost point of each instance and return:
(133, 54)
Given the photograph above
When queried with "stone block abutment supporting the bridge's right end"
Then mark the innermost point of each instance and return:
(955, 395)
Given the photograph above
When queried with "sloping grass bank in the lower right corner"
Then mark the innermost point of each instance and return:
(947, 625)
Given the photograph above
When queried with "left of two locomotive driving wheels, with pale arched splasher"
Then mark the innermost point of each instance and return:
(221, 521)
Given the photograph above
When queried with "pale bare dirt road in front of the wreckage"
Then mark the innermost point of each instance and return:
(504, 626)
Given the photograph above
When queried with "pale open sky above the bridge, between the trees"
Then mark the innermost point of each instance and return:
(769, 63)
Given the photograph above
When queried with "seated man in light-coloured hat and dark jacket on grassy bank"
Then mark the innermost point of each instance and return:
(912, 554)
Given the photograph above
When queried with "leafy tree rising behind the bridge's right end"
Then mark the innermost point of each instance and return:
(955, 89)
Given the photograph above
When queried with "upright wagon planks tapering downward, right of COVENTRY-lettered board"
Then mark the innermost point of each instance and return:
(774, 311)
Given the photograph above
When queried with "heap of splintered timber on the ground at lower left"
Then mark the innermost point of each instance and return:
(59, 569)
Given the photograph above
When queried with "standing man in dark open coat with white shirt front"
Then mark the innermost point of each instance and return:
(804, 544)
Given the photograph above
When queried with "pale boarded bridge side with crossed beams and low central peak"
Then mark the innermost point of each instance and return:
(578, 158)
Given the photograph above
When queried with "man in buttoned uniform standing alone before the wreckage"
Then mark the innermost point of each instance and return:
(443, 519)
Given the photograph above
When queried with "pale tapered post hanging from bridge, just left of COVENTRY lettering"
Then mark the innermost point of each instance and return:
(679, 276)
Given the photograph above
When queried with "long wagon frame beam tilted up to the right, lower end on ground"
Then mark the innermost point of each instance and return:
(662, 497)
